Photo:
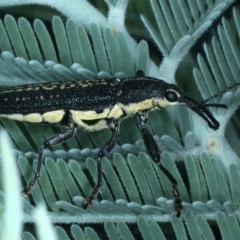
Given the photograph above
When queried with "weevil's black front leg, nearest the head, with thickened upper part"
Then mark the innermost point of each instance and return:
(153, 151)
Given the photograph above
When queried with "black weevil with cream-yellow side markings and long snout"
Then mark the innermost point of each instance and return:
(92, 105)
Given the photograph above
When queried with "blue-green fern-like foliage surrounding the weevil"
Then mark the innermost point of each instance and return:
(135, 199)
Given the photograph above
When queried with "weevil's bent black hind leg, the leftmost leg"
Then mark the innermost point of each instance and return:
(53, 141)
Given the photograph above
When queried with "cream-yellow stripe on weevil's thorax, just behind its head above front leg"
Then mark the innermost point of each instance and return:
(133, 108)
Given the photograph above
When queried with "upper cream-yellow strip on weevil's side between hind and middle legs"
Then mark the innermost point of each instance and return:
(90, 115)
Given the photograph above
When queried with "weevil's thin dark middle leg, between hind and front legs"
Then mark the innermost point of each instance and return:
(103, 152)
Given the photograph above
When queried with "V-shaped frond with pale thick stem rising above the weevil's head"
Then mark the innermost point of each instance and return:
(180, 25)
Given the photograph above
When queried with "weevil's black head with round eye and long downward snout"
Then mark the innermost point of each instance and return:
(172, 95)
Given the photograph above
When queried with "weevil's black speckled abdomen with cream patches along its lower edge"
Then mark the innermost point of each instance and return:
(50, 102)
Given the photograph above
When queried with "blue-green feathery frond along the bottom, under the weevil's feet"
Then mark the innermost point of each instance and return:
(207, 184)
